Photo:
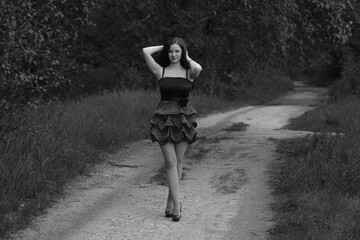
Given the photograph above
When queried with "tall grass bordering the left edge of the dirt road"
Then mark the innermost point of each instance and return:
(44, 147)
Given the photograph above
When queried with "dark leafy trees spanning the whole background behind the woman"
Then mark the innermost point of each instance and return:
(43, 40)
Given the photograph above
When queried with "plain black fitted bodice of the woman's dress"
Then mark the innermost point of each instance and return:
(174, 88)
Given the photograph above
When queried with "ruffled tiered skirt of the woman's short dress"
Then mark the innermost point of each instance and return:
(173, 123)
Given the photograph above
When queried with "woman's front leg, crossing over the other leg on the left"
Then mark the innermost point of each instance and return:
(169, 154)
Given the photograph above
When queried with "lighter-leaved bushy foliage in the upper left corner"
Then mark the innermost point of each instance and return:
(35, 43)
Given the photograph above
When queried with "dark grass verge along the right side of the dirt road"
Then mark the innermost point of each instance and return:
(316, 182)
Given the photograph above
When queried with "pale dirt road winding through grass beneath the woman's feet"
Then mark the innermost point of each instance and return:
(224, 191)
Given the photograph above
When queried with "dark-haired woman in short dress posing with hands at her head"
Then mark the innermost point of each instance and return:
(173, 124)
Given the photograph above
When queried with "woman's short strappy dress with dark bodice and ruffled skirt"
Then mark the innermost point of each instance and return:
(174, 118)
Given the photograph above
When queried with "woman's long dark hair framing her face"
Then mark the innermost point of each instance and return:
(163, 57)
